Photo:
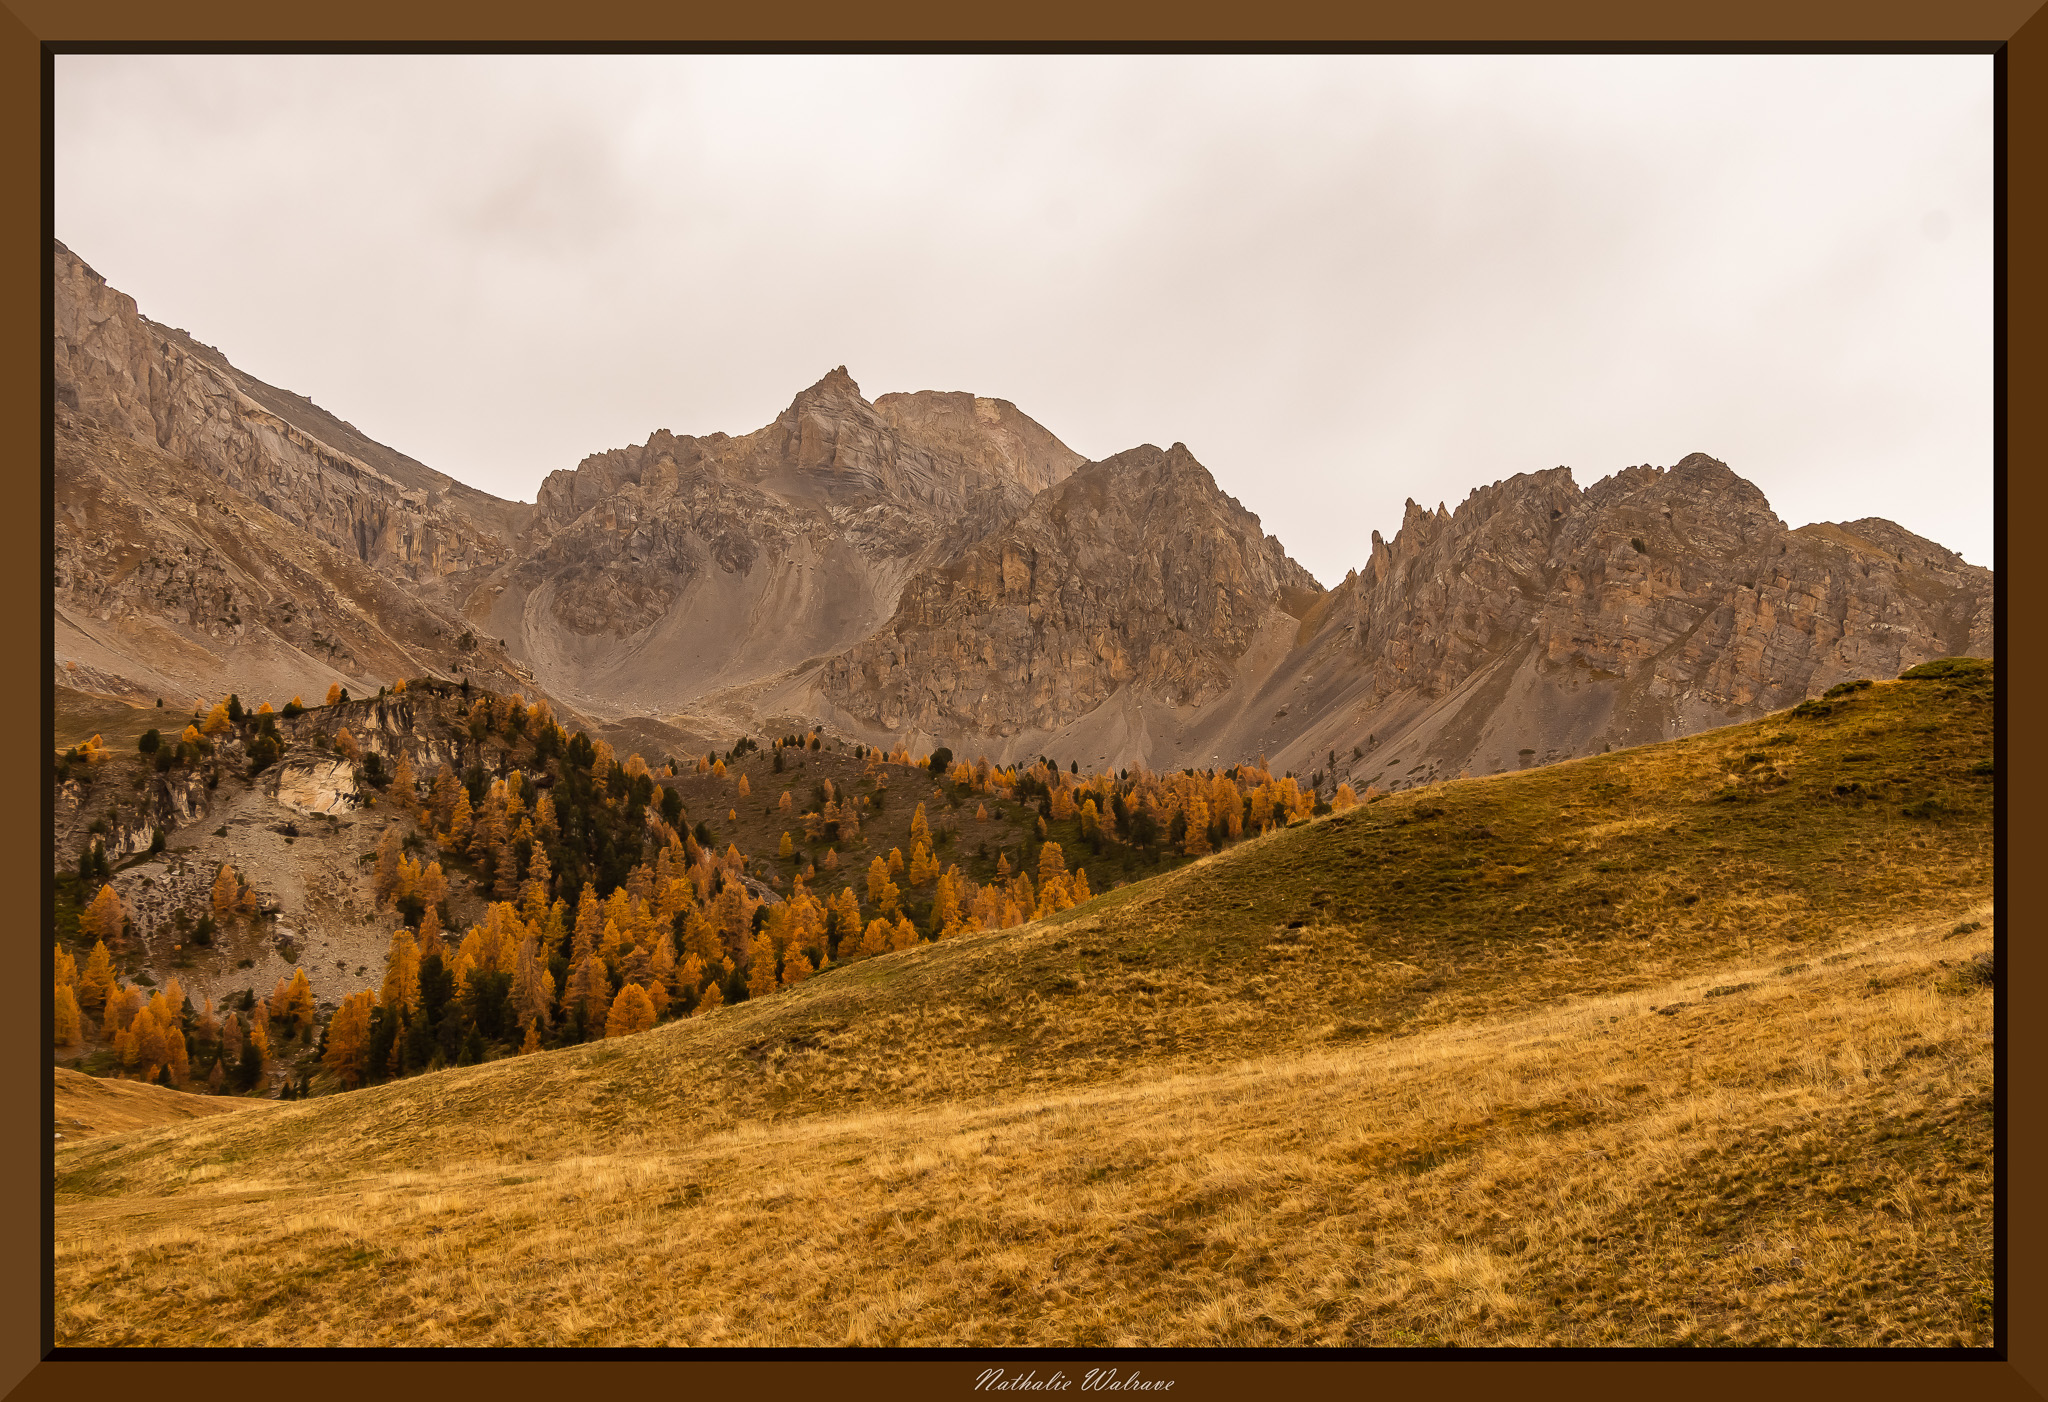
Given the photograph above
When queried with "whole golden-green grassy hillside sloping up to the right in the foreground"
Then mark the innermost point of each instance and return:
(1678, 1045)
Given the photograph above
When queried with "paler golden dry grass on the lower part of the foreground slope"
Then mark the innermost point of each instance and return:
(1803, 1162)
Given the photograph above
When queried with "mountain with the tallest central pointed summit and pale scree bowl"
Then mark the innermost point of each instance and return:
(660, 574)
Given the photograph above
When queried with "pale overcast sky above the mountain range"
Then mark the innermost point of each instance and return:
(1342, 281)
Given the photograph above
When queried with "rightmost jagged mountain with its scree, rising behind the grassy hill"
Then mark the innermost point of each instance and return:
(1541, 621)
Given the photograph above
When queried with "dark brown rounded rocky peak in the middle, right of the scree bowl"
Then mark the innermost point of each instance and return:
(1134, 572)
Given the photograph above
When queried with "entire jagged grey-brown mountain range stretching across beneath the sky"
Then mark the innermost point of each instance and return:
(937, 568)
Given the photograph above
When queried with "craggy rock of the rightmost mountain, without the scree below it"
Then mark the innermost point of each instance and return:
(1680, 580)
